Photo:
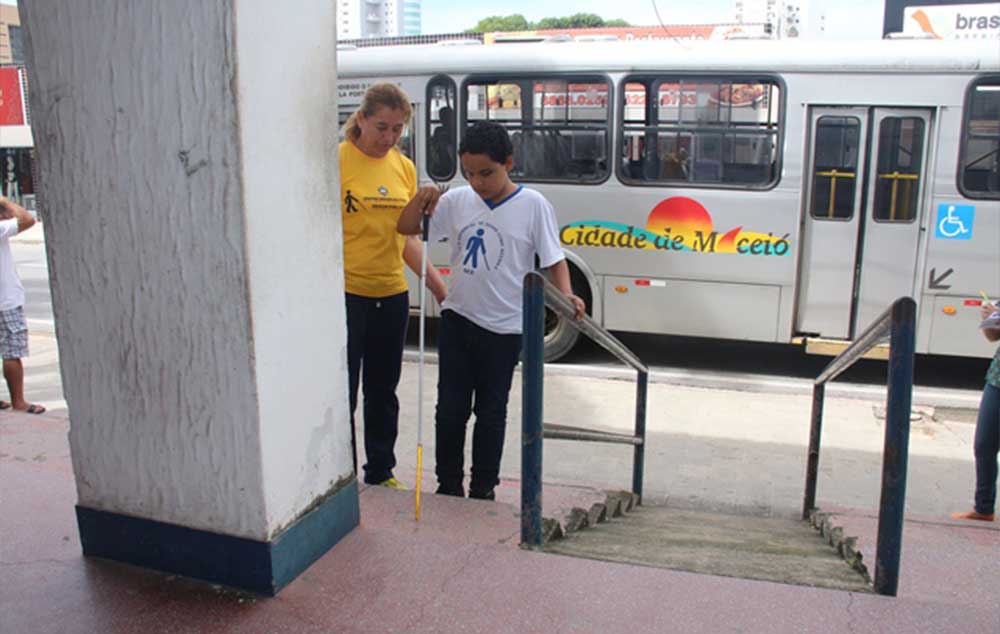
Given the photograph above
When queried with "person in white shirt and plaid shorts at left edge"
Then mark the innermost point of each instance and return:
(13, 327)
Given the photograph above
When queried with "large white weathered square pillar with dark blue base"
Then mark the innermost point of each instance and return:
(187, 152)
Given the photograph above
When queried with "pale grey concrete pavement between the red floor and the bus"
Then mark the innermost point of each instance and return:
(724, 450)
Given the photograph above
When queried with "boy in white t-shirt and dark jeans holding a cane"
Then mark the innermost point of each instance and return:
(495, 229)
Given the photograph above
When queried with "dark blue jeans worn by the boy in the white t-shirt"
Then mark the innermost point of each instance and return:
(475, 369)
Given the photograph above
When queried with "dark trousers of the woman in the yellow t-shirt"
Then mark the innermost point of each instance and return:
(376, 333)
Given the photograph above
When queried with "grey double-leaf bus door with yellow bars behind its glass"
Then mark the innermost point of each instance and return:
(862, 227)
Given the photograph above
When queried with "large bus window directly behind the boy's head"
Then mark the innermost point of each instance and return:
(559, 126)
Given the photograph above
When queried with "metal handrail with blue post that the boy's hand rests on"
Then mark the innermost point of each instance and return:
(539, 292)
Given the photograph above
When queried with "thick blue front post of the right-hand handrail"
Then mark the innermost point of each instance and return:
(896, 449)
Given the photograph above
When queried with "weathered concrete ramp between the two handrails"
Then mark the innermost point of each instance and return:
(768, 549)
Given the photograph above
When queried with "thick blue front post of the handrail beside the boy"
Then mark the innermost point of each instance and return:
(531, 410)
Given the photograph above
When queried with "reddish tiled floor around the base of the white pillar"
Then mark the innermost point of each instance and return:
(459, 570)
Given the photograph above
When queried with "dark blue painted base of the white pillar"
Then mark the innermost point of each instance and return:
(261, 567)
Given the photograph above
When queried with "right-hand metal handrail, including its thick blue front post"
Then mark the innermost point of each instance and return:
(899, 322)
